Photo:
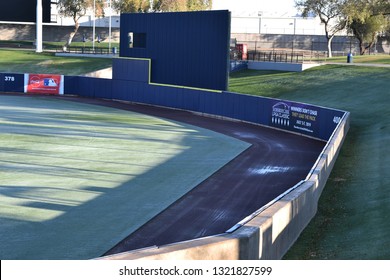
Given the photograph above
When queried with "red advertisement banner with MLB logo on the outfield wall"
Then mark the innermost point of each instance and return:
(44, 84)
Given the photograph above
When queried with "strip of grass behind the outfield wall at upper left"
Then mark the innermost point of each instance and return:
(17, 61)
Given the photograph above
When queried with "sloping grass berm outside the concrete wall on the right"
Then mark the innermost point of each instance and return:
(352, 220)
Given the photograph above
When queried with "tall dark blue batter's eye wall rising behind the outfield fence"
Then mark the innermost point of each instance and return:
(186, 48)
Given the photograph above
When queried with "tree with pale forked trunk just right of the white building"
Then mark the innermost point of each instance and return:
(331, 14)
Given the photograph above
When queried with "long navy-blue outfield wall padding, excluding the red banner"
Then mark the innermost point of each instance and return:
(302, 118)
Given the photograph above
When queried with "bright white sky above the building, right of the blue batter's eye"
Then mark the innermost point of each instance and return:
(252, 7)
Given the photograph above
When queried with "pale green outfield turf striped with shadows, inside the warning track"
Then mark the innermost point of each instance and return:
(76, 179)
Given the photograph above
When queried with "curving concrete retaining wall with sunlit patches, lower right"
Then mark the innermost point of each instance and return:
(268, 235)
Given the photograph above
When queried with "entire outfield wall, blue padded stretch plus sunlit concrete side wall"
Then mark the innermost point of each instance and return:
(271, 231)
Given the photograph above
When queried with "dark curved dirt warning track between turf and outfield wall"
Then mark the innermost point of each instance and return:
(274, 162)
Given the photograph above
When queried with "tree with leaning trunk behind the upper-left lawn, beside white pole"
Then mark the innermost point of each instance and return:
(76, 9)
